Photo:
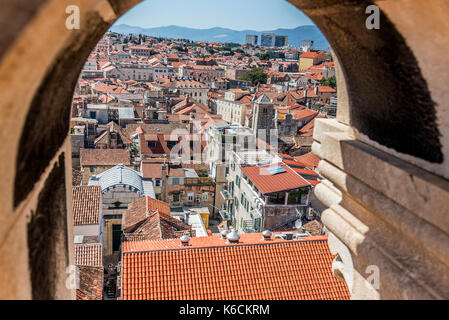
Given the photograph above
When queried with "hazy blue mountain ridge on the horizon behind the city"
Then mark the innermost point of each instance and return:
(225, 35)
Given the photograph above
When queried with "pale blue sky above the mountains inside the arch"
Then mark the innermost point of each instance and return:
(202, 14)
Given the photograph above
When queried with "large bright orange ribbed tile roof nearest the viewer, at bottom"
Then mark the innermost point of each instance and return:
(212, 269)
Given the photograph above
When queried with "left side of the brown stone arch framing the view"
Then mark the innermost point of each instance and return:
(40, 72)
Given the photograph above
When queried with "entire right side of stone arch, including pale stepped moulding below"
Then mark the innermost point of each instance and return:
(386, 187)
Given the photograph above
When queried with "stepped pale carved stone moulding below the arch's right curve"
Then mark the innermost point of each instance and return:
(388, 220)
